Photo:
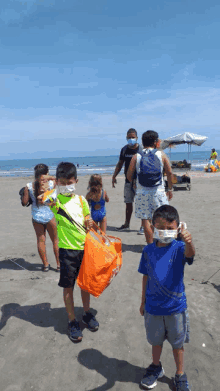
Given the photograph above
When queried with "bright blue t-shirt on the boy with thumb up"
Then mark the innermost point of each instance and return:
(164, 266)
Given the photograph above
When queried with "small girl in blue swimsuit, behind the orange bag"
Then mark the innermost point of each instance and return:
(97, 197)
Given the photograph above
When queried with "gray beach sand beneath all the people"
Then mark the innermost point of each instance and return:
(37, 355)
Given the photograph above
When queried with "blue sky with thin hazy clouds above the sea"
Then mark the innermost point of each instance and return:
(76, 75)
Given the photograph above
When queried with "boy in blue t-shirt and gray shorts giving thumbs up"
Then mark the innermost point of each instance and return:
(163, 293)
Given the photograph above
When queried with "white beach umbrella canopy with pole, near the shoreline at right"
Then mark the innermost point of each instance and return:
(184, 138)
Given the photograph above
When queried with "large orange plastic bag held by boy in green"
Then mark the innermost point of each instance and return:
(101, 262)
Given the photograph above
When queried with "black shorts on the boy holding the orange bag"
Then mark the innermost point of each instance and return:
(70, 262)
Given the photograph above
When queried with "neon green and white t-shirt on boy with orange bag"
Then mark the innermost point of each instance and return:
(71, 234)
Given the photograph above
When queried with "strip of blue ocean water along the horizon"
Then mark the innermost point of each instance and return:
(91, 164)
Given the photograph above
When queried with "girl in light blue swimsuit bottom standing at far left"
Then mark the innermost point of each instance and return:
(42, 218)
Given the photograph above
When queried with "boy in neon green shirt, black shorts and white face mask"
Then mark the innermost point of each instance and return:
(73, 219)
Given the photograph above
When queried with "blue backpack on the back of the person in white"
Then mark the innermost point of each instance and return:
(150, 174)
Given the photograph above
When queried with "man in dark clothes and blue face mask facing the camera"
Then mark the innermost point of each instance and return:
(126, 154)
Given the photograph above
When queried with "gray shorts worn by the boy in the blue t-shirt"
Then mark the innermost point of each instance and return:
(175, 328)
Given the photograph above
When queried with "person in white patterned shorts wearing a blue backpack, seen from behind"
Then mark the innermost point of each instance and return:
(150, 193)
